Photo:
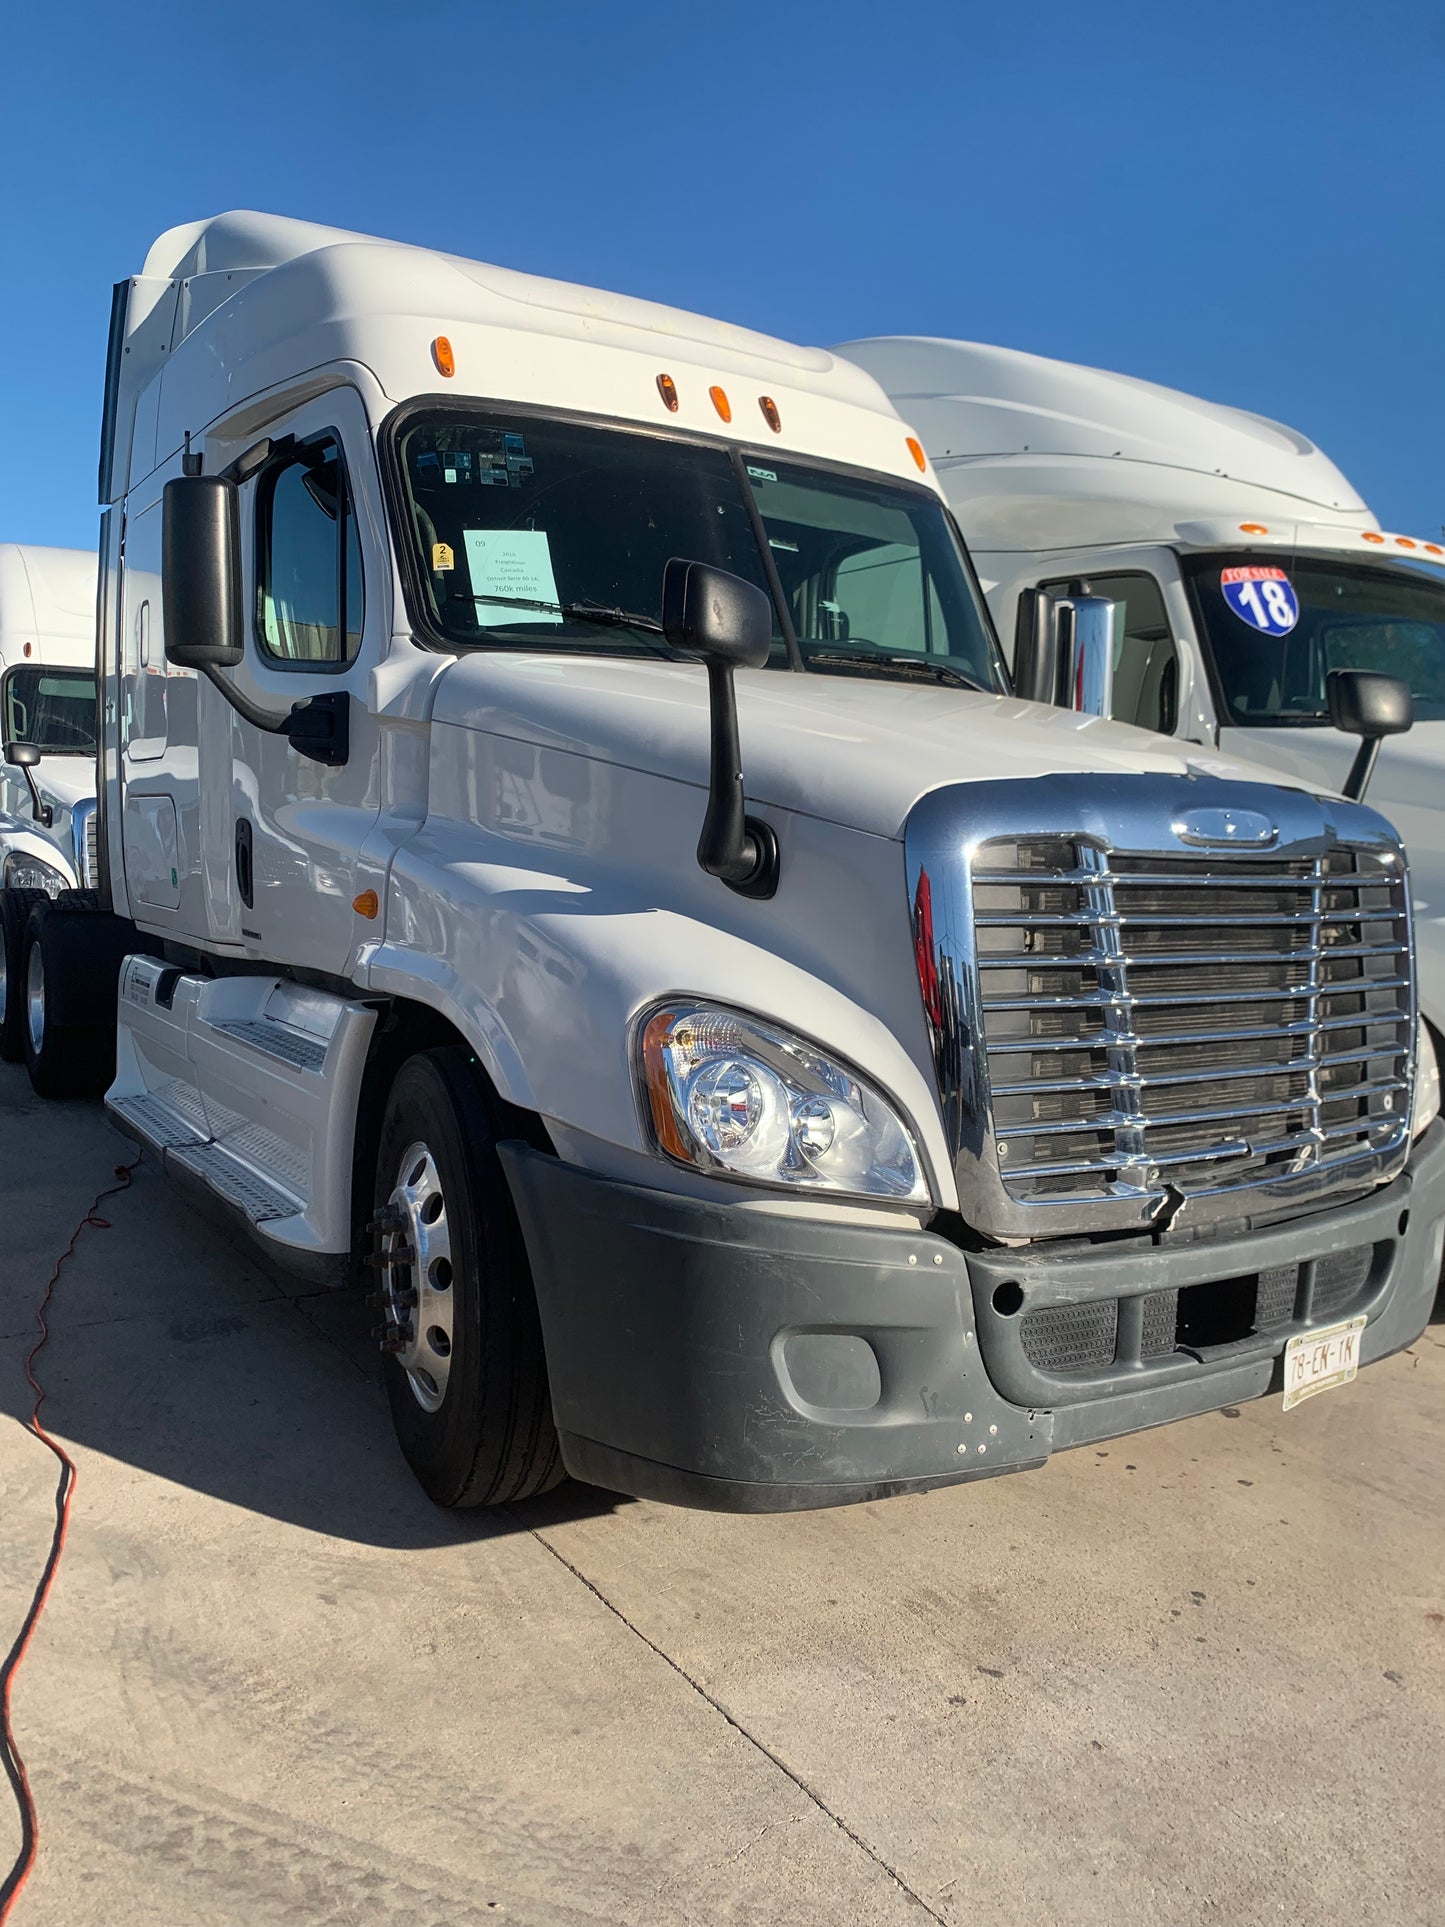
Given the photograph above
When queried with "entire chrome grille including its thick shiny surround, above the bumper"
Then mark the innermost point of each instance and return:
(1126, 1026)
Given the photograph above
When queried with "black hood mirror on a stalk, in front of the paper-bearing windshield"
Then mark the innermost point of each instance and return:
(729, 625)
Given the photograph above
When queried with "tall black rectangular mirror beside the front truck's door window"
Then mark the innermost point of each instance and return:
(201, 573)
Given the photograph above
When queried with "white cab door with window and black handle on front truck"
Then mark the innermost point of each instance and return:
(282, 832)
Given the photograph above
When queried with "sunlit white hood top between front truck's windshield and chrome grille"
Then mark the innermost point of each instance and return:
(853, 751)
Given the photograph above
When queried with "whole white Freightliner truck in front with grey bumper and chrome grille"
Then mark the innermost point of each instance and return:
(600, 884)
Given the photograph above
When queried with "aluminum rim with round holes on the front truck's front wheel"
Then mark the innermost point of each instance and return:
(417, 1284)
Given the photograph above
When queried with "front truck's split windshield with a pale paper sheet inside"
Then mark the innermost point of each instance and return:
(556, 535)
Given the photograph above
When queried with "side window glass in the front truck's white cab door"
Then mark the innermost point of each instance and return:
(309, 581)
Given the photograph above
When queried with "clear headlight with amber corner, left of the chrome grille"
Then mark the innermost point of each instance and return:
(731, 1095)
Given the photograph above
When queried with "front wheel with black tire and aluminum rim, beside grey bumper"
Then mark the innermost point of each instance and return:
(465, 1367)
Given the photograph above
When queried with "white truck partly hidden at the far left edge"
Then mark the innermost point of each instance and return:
(47, 747)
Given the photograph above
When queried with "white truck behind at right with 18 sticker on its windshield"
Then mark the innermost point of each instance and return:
(1242, 564)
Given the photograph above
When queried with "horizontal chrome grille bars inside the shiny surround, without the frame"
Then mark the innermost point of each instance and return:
(1195, 1020)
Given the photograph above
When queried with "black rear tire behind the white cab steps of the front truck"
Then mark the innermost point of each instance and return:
(70, 970)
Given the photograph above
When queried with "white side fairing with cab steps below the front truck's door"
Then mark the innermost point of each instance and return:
(246, 1088)
